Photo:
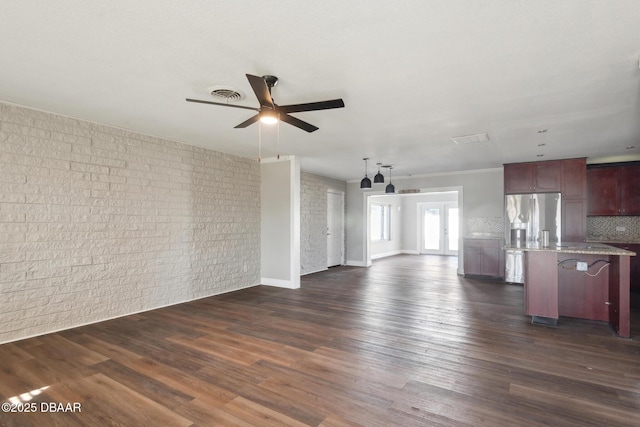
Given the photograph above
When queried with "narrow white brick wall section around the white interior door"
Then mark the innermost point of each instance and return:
(313, 220)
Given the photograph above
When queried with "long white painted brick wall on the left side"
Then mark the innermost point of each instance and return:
(98, 222)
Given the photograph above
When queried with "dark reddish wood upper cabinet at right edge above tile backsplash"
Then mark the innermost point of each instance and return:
(614, 189)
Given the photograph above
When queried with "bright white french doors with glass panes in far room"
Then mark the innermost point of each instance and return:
(439, 228)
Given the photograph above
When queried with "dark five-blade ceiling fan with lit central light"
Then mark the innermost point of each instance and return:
(269, 109)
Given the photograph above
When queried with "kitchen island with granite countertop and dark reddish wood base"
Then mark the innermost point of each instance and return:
(582, 280)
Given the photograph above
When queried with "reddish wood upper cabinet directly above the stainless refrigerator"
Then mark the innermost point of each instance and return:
(533, 177)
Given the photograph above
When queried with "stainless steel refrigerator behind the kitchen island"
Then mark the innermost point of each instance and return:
(530, 220)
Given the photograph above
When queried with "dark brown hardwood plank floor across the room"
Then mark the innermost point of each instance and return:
(406, 342)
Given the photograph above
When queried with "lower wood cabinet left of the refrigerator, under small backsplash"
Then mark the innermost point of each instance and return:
(483, 257)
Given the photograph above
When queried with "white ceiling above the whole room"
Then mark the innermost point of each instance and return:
(413, 74)
